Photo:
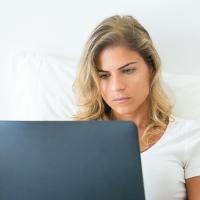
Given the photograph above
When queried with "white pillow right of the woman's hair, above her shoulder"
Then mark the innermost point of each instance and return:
(185, 91)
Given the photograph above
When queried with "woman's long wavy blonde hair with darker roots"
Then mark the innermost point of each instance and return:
(119, 31)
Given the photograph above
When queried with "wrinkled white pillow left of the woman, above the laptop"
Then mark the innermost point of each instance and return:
(43, 87)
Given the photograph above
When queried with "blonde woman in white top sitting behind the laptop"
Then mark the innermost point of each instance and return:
(119, 79)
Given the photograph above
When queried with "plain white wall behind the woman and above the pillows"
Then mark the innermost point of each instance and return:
(60, 27)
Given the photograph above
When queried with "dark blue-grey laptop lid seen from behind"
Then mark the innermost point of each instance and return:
(70, 160)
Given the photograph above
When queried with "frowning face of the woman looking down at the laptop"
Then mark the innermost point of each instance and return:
(124, 81)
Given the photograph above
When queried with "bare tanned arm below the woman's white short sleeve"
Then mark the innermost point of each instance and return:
(193, 188)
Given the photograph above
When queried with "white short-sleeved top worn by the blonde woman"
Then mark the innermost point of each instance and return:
(174, 158)
